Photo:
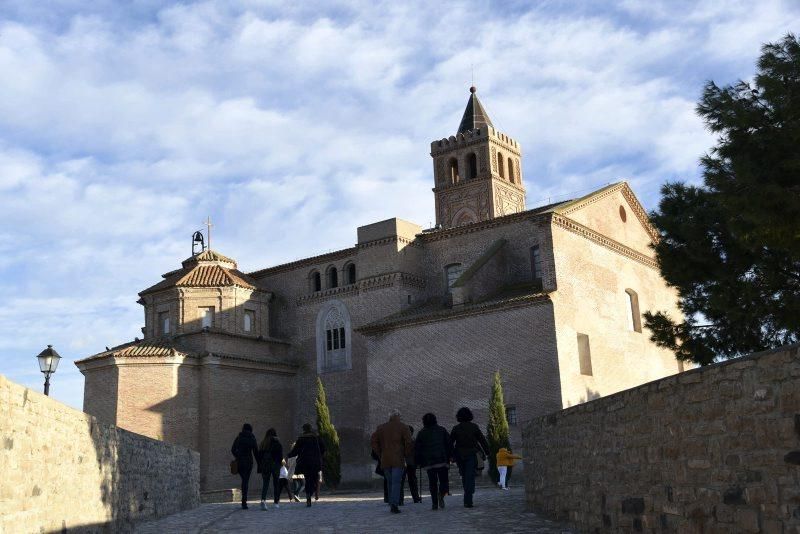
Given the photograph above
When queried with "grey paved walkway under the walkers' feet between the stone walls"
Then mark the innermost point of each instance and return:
(495, 511)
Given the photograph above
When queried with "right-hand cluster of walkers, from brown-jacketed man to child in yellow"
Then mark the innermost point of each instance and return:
(398, 456)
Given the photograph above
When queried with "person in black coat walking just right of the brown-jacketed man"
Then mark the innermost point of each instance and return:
(432, 452)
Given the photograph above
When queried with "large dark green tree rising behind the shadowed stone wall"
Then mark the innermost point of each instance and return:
(731, 247)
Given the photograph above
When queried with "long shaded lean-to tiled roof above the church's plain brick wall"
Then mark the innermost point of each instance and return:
(436, 310)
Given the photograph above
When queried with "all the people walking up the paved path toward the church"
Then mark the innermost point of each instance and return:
(394, 448)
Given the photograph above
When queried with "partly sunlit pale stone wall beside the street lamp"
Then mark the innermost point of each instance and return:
(62, 470)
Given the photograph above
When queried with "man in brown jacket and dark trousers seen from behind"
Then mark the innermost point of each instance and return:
(392, 443)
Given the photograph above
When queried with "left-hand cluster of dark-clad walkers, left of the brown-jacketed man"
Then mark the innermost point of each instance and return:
(301, 467)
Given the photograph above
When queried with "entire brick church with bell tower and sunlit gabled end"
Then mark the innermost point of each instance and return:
(408, 318)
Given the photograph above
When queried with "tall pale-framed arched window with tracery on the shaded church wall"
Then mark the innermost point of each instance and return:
(333, 338)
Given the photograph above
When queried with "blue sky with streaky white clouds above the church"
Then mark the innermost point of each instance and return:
(123, 125)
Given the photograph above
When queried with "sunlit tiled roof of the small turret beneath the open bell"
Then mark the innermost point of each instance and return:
(202, 271)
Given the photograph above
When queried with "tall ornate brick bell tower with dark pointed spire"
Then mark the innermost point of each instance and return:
(477, 171)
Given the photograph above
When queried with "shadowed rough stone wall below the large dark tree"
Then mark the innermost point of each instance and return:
(714, 449)
